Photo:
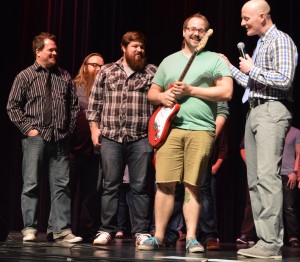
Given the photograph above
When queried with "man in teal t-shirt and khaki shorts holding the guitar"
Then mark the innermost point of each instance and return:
(184, 155)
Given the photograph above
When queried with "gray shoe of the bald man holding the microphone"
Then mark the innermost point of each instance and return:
(260, 251)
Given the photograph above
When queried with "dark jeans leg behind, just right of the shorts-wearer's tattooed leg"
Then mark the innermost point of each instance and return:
(208, 216)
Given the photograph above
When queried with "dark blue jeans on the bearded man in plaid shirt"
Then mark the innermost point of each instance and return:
(138, 156)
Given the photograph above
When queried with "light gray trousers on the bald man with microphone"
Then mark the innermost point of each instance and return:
(265, 132)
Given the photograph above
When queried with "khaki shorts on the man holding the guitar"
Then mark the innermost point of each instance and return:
(184, 156)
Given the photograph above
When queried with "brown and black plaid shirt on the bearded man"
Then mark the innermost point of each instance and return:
(119, 102)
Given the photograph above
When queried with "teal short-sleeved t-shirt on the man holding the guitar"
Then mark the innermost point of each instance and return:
(194, 113)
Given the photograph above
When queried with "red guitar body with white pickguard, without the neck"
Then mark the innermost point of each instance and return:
(159, 124)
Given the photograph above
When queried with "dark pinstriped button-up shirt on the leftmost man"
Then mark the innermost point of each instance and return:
(26, 102)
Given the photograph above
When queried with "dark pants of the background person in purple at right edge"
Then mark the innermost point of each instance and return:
(290, 204)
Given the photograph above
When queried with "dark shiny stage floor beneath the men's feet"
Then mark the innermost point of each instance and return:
(122, 250)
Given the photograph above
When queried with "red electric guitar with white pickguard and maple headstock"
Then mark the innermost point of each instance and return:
(160, 121)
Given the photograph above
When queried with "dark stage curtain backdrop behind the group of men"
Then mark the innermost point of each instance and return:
(84, 26)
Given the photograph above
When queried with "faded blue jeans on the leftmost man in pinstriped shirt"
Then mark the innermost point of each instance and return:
(38, 154)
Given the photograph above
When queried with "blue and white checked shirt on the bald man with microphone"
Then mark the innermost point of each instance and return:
(274, 70)
